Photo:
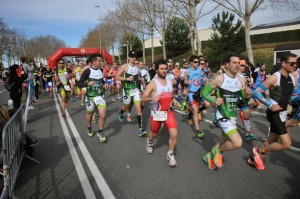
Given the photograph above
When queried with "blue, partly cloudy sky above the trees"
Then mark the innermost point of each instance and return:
(70, 20)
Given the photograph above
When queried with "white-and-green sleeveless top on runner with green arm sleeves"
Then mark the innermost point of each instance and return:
(230, 92)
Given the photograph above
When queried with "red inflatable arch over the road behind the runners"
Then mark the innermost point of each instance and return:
(84, 52)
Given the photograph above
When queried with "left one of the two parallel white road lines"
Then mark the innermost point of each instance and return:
(87, 188)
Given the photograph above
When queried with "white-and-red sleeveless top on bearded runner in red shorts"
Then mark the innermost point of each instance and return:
(165, 93)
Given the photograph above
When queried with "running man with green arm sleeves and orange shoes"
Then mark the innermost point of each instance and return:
(230, 88)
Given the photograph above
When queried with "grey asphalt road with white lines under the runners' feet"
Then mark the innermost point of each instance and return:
(128, 171)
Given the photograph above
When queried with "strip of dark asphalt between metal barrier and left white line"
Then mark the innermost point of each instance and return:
(55, 176)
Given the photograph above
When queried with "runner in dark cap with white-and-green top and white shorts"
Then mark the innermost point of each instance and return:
(129, 74)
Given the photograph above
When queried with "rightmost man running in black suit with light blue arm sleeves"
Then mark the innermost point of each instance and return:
(280, 85)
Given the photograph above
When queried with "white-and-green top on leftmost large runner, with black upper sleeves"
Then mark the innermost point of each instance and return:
(96, 89)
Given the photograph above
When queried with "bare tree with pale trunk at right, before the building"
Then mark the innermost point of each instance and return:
(245, 8)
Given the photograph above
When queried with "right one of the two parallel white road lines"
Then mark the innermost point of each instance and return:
(102, 185)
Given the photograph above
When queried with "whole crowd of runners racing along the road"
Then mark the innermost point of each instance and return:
(228, 90)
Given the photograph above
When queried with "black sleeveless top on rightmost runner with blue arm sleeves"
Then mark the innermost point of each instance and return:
(282, 92)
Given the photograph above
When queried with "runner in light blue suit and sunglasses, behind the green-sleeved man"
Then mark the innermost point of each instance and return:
(193, 78)
